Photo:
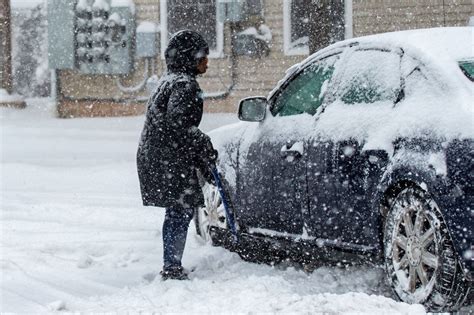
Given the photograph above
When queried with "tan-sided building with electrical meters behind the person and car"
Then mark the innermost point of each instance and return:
(252, 43)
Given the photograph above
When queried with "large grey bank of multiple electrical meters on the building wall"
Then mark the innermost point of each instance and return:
(102, 35)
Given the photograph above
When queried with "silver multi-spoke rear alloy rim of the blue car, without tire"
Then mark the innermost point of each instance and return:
(414, 247)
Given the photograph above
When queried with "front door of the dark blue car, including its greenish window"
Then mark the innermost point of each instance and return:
(272, 187)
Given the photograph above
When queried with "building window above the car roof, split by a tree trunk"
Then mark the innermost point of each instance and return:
(296, 23)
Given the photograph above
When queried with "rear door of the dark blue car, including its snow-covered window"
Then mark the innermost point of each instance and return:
(343, 162)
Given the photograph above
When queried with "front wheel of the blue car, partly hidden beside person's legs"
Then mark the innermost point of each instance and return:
(212, 214)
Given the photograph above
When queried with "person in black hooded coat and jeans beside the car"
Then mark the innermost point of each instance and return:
(172, 148)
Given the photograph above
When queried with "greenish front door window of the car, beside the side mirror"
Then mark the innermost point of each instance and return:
(305, 92)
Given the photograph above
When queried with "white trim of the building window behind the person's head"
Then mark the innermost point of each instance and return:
(216, 53)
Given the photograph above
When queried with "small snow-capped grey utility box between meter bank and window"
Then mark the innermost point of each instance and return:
(146, 41)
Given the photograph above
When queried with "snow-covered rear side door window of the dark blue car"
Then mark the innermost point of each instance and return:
(370, 76)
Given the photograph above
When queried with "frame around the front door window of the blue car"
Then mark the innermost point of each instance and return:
(274, 96)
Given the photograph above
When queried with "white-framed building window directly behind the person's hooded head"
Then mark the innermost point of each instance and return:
(196, 15)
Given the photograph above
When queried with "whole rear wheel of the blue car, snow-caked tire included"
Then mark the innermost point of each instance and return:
(422, 266)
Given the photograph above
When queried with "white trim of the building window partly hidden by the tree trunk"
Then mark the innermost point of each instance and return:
(305, 50)
